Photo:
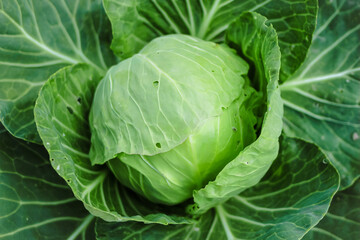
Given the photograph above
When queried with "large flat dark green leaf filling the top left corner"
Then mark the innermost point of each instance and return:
(37, 38)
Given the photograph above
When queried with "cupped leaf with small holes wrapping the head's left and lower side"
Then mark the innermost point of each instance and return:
(61, 114)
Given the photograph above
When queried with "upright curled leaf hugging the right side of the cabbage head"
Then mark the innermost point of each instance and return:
(257, 42)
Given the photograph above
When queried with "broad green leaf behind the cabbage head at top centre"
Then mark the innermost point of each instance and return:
(135, 23)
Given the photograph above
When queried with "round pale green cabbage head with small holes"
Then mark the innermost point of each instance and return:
(168, 119)
